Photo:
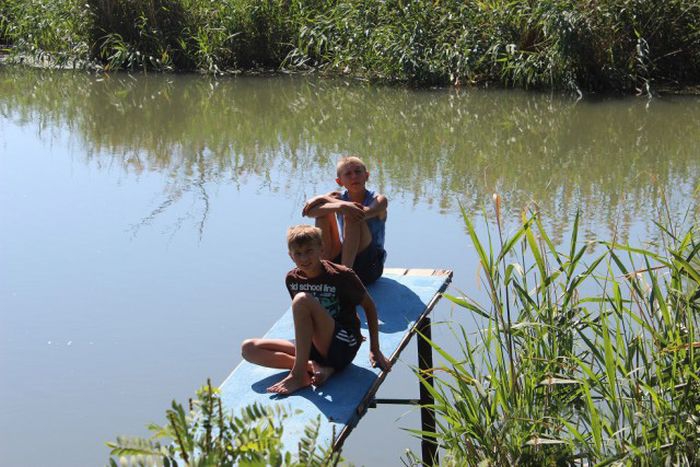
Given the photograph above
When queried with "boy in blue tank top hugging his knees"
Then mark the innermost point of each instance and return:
(352, 221)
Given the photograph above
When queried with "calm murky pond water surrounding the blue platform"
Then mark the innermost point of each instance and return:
(142, 223)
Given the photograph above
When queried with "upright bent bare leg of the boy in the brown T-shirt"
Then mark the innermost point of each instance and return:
(312, 324)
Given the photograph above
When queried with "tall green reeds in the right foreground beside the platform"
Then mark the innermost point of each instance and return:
(582, 376)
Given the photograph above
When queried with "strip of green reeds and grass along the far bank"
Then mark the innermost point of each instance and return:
(610, 45)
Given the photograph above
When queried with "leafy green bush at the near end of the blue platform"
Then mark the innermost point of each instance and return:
(210, 436)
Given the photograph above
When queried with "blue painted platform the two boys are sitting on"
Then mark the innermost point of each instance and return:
(403, 297)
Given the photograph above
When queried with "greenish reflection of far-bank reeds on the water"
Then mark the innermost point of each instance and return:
(611, 158)
